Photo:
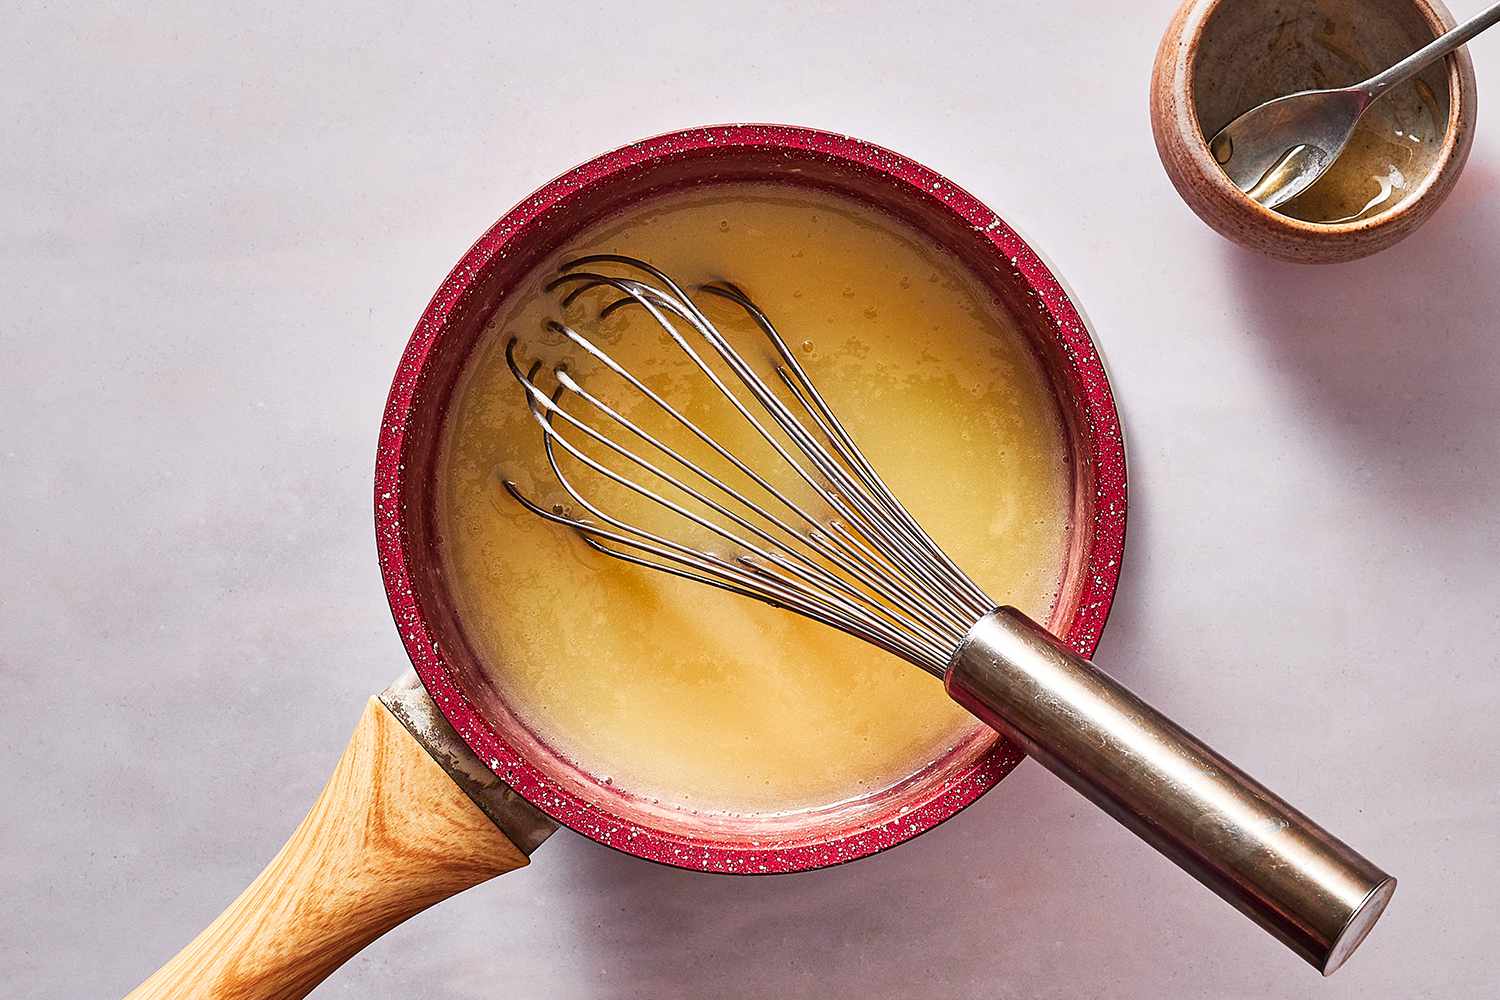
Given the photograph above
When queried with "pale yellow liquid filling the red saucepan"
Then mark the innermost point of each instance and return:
(703, 701)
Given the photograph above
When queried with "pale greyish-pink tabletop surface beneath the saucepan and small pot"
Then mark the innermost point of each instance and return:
(218, 226)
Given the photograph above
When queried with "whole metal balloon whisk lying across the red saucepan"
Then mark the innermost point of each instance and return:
(824, 537)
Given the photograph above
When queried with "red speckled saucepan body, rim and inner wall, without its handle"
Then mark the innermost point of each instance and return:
(454, 322)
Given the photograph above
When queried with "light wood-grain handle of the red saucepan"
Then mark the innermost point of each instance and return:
(389, 836)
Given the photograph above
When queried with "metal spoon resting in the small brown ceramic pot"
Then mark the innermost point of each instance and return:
(1276, 151)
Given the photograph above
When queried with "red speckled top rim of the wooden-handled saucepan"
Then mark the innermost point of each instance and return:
(1102, 434)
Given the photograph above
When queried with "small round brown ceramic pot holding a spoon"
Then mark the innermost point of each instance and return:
(1222, 58)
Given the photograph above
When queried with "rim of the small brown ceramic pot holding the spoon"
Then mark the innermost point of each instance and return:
(1450, 158)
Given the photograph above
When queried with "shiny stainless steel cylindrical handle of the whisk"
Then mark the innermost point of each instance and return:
(1270, 861)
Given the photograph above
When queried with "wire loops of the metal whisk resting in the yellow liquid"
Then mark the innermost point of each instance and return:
(814, 531)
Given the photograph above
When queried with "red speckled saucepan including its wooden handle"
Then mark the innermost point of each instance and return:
(392, 834)
